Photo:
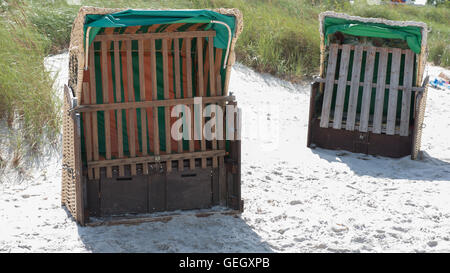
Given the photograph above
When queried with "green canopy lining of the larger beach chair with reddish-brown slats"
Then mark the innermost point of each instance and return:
(132, 17)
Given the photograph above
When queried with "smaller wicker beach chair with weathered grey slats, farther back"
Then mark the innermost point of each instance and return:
(370, 97)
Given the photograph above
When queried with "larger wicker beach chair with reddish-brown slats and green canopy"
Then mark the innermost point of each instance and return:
(128, 70)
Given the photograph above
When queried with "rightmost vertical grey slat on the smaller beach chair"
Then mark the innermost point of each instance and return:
(406, 97)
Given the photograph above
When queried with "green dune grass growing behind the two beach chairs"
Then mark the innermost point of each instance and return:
(280, 36)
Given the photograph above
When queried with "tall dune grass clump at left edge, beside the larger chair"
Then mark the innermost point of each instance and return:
(28, 103)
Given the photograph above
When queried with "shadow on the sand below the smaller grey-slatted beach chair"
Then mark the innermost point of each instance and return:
(427, 168)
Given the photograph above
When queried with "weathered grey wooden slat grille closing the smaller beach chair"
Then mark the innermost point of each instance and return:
(369, 119)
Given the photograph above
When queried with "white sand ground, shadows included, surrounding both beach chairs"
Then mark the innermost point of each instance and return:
(296, 199)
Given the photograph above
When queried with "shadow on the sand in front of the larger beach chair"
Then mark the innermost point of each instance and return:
(217, 233)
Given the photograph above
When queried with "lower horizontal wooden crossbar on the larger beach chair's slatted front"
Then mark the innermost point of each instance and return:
(153, 159)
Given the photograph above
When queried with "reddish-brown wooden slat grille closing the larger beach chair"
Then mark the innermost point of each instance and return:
(207, 78)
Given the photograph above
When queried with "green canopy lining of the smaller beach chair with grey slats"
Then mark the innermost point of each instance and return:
(411, 34)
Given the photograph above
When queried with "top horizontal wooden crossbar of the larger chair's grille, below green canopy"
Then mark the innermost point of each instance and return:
(159, 35)
